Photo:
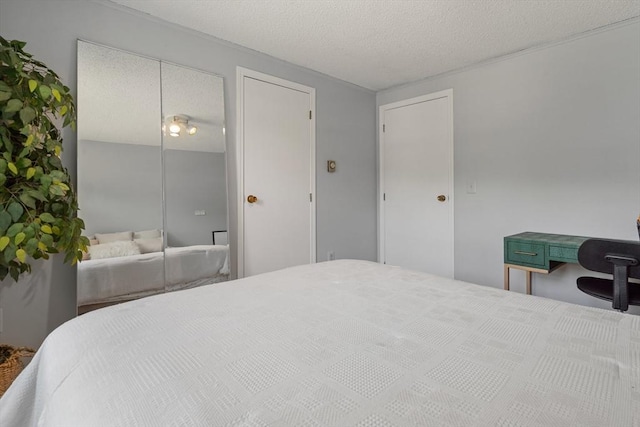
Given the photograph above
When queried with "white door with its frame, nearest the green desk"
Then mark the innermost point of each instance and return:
(416, 184)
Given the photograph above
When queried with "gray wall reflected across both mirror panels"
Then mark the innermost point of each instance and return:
(120, 188)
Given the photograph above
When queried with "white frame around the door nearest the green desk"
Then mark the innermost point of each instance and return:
(448, 94)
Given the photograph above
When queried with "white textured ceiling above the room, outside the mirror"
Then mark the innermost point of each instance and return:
(378, 44)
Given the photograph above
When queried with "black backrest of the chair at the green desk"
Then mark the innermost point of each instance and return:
(592, 253)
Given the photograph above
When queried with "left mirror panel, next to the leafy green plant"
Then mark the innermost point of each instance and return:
(119, 173)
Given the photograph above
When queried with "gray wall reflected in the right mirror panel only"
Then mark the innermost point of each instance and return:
(194, 181)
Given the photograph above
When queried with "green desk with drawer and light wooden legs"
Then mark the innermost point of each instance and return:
(539, 253)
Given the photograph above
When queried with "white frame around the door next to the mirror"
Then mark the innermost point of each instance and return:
(241, 73)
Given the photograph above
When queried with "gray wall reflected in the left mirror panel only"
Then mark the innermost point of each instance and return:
(119, 186)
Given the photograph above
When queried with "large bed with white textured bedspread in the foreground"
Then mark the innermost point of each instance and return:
(342, 343)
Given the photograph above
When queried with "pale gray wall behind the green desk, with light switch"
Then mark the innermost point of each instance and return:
(552, 137)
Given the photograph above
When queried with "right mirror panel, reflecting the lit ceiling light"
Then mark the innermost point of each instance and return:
(194, 177)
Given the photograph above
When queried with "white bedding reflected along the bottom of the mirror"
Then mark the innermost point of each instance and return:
(114, 279)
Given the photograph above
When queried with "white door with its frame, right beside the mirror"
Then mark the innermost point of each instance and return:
(277, 185)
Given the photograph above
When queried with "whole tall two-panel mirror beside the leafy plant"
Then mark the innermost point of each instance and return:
(150, 200)
